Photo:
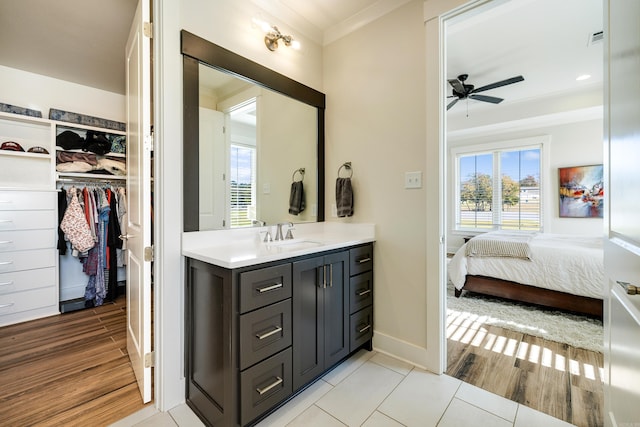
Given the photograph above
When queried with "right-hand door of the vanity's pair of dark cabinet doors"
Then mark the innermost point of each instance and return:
(336, 308)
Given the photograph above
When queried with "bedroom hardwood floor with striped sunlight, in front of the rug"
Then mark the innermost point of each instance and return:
(562, 381)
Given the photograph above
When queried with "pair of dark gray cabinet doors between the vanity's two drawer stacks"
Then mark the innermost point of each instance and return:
(320, 315)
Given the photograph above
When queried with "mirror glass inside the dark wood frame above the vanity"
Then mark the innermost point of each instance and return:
(252, 141)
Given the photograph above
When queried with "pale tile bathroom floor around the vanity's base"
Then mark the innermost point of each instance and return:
(371, 389)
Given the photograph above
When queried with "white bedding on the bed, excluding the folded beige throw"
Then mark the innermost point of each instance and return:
(571, 264)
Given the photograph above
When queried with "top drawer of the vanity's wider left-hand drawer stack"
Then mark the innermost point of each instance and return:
(264, 286)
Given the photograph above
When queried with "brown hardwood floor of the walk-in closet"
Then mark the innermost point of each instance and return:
(69, 369)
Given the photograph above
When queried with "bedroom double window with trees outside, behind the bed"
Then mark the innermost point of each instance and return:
(498, 188)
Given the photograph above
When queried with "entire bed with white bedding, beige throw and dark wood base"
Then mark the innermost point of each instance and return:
(553, 270)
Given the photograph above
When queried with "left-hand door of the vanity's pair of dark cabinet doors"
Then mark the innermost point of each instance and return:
(308, 321)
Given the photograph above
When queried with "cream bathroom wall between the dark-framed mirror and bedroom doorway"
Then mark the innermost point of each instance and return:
(374, 79)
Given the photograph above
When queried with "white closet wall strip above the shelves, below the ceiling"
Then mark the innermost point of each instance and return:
(38, 92)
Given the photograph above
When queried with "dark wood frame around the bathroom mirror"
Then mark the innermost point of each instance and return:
(196, 50)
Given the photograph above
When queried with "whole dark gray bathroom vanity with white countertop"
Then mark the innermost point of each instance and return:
(265, 320)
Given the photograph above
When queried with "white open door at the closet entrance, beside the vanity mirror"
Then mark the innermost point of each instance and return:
(139, 198)
